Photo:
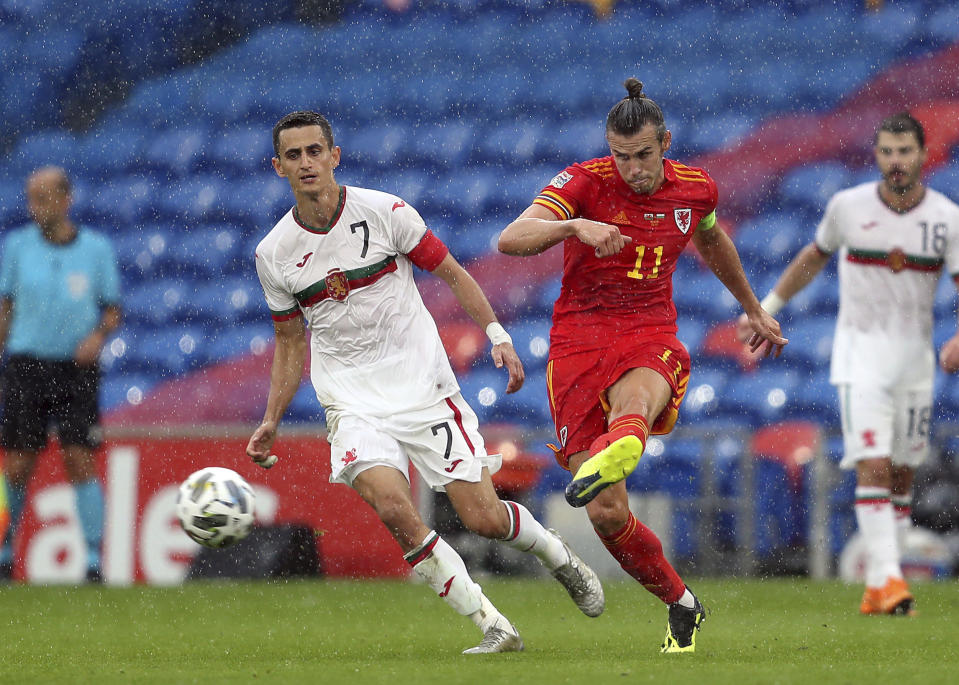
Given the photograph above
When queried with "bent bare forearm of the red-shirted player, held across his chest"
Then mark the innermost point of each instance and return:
(537, 229)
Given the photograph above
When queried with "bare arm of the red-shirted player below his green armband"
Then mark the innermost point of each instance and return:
(720, 255)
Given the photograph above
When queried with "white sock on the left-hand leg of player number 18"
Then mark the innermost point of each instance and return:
(877, 524)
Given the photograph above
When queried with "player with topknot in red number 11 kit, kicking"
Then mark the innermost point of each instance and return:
(616, 370)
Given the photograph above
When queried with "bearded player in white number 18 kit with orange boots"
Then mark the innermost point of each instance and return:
(894, 238)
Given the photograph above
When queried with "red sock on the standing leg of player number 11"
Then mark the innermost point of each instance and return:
(640, 553)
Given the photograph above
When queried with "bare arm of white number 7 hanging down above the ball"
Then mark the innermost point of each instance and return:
(289, 355)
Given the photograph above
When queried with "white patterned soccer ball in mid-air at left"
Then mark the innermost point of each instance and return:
(215, 507)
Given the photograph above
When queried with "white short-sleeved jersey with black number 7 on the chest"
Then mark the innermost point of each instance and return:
(375, 349)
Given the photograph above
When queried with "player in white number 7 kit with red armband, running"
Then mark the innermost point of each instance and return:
(340, 263)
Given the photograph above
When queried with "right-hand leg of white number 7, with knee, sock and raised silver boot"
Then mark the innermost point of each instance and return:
(481, 510)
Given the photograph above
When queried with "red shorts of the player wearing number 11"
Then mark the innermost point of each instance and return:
(577, 386)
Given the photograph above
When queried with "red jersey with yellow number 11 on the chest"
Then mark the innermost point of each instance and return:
(630, 293)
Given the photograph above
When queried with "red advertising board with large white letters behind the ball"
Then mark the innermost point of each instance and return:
(143, 542)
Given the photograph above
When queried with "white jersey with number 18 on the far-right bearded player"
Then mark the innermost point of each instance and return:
(889, 269)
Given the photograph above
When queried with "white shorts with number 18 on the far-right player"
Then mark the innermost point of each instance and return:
(877, 422)
